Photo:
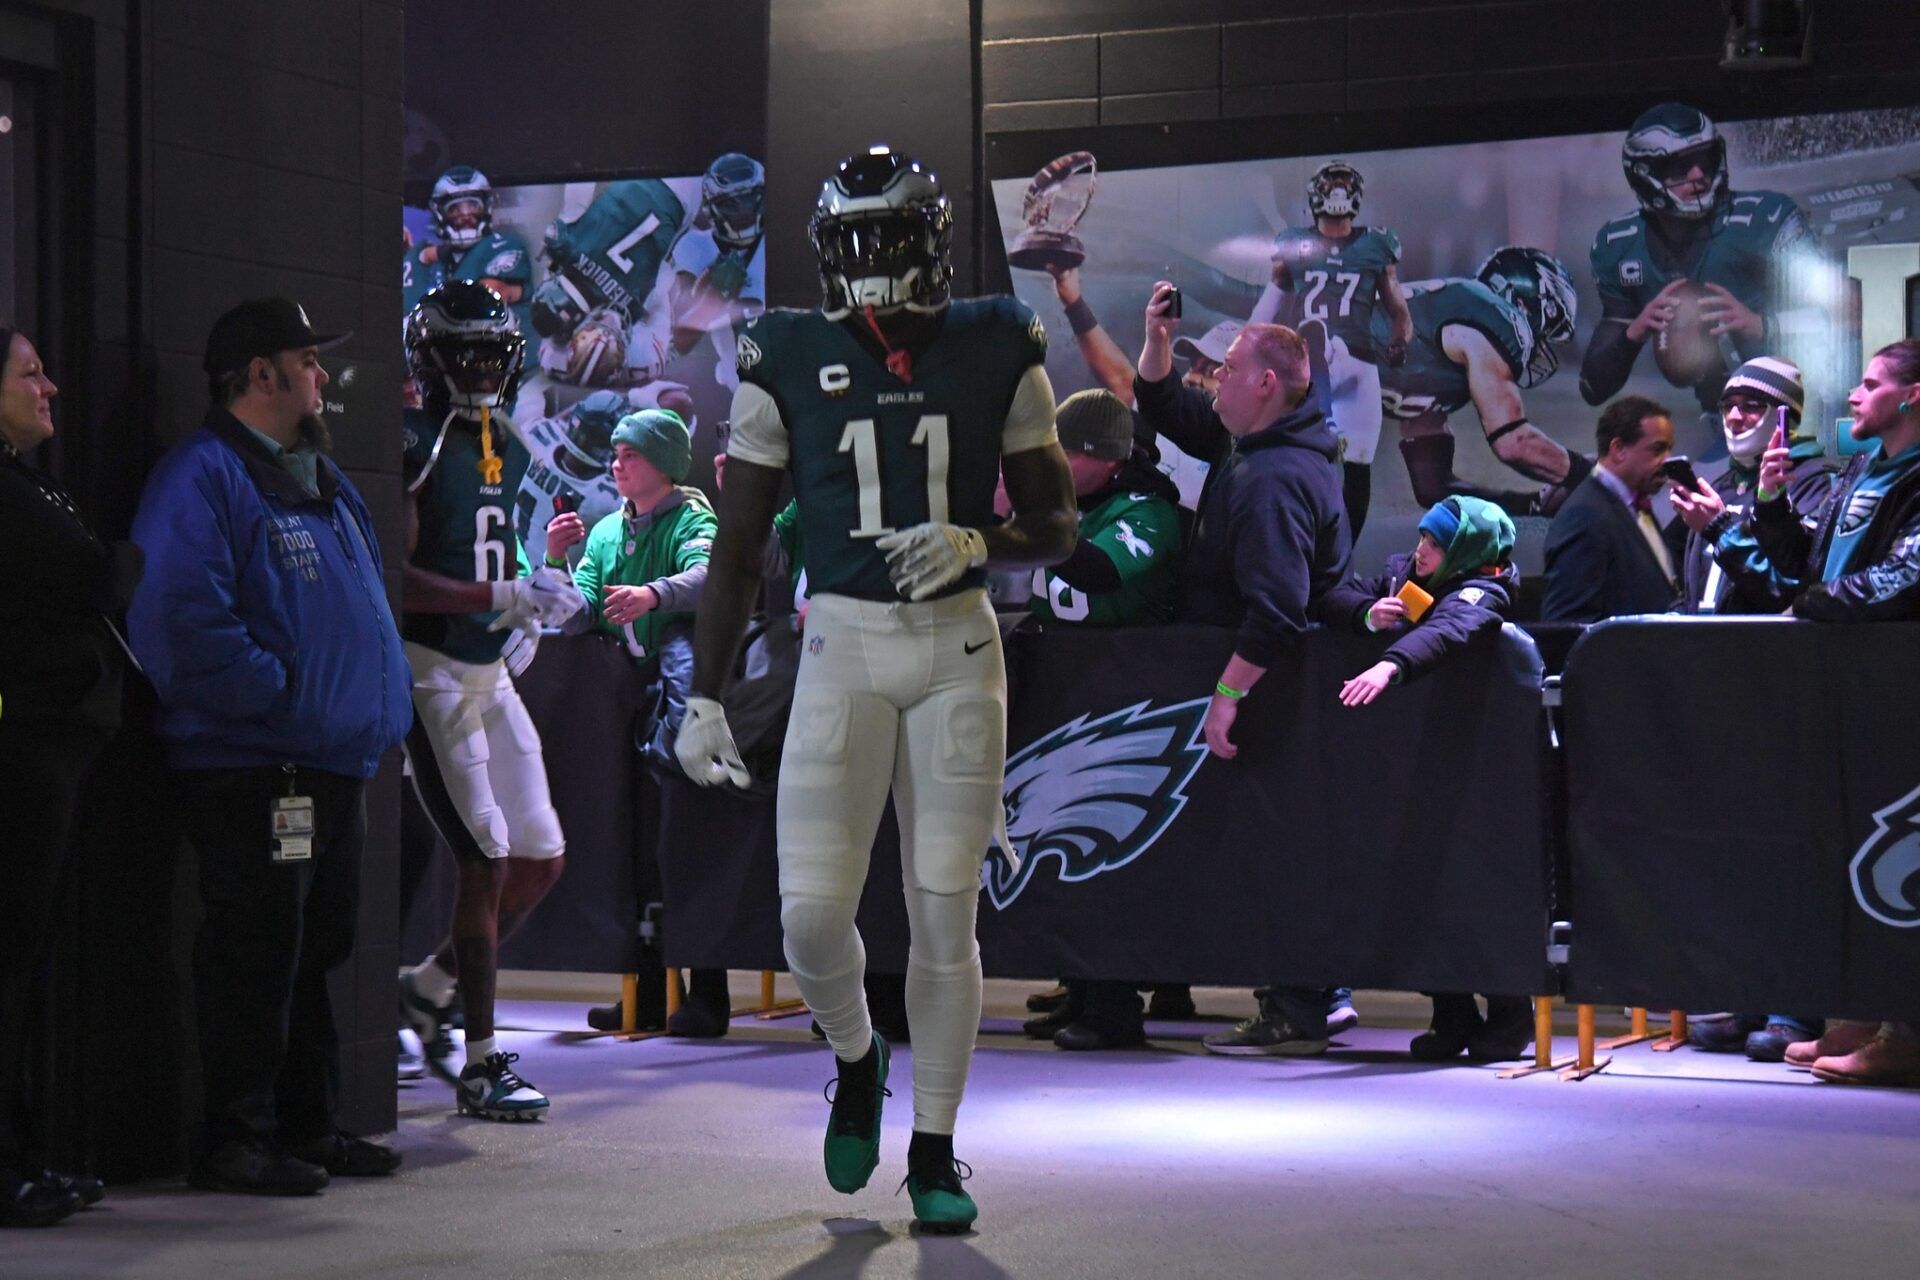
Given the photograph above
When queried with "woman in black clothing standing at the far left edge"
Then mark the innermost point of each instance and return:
(60, 692)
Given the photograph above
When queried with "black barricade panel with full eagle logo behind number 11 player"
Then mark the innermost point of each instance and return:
(1395, 845)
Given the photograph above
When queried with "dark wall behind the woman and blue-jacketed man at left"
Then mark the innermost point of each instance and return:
(235, 149)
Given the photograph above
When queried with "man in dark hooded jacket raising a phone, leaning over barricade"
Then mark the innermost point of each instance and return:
(1270, 540)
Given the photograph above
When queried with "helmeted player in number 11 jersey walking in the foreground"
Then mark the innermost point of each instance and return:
(894, 408)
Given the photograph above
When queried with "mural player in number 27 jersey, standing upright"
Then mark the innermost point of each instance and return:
(1335, 272)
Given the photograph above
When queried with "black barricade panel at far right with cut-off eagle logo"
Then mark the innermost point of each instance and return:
(1742, 817)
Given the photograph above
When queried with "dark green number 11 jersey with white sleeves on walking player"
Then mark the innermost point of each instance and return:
(873, 454)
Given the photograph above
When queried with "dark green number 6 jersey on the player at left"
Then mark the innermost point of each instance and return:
(468, 527)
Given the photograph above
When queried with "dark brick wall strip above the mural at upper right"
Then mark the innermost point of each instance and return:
(1065, 64)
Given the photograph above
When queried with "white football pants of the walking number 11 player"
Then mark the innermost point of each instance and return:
(909, 698)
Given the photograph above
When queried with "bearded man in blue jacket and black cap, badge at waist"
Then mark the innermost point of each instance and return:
(266, 630)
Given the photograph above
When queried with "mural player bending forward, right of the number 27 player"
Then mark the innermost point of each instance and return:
(1483, 343)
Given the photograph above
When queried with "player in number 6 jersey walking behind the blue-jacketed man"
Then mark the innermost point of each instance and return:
(468, 619)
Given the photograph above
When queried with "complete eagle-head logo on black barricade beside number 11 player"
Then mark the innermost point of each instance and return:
(1095, 794)
